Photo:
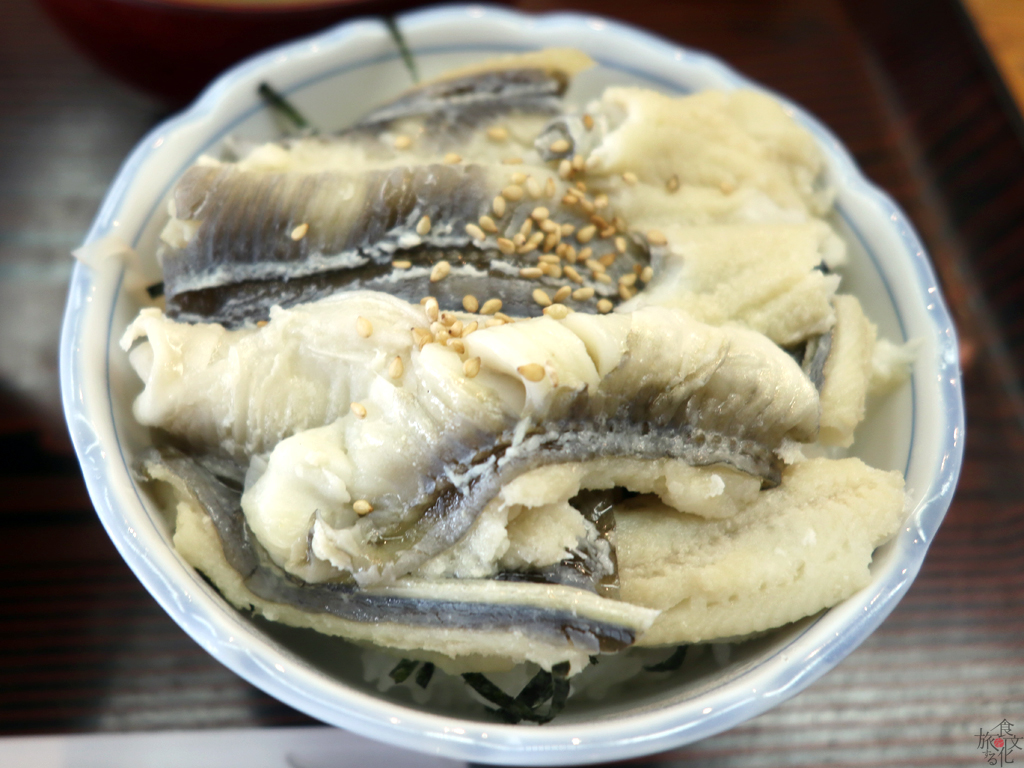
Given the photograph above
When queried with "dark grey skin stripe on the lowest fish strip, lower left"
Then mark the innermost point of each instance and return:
(346, 601)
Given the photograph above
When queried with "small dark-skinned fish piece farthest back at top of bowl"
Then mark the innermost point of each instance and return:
(464, 104)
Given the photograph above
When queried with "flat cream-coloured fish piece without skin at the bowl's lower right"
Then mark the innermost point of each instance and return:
(801, 547)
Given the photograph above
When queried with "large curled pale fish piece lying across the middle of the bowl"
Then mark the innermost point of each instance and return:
(432, 449)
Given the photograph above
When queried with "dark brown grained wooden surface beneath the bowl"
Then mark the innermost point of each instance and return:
(905, 83)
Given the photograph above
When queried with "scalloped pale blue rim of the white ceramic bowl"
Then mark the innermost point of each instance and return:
(630, 736)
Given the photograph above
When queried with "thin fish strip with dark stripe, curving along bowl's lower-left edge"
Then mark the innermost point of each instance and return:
(493, 623)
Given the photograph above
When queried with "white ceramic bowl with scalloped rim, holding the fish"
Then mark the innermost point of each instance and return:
(334, 77)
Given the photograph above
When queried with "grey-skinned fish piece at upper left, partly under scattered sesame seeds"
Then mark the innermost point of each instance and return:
(243, 260)
